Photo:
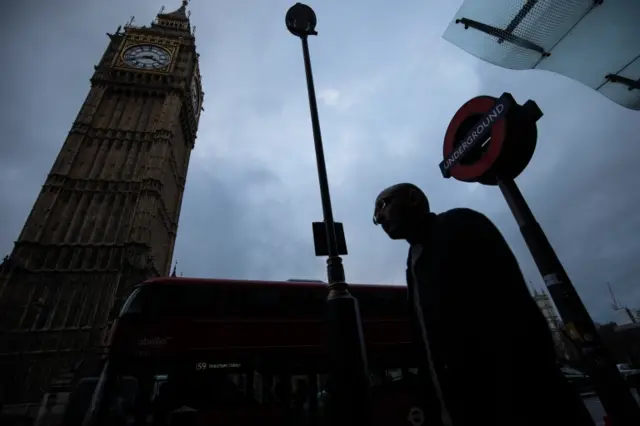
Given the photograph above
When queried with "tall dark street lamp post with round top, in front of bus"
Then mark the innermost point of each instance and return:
(346, 350)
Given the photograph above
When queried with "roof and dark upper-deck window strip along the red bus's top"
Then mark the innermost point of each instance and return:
(245, 298)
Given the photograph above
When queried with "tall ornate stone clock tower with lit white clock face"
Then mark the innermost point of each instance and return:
(107, 215)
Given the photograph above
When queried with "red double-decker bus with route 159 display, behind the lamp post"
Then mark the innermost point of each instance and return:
(226, 352)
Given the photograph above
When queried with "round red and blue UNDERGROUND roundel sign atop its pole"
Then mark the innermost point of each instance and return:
(490, 138)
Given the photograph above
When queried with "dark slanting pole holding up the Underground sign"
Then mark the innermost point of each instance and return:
(615, 395)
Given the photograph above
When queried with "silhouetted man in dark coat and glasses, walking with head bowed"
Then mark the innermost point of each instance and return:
(489, 353)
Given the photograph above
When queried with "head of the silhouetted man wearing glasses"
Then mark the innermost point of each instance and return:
(399, 210)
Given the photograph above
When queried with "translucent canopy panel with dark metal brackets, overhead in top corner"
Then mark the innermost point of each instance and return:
(580, 39)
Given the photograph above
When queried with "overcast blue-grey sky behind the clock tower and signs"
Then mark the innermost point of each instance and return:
(387, 83)
